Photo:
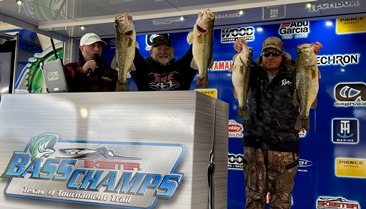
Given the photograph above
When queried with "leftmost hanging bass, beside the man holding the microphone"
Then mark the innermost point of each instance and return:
(125, 49)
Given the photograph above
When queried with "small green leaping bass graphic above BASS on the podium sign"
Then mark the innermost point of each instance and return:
(42, 145)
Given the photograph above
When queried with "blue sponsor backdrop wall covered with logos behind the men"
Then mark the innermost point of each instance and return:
(332, 168)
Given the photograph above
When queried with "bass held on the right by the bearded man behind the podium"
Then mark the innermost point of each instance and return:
(202, 40)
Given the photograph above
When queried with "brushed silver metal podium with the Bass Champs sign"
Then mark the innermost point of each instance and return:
(113, 149)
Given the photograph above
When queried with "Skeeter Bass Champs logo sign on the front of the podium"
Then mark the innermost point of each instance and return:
(115, 174)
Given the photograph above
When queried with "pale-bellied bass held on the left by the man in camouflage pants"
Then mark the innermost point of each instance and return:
(240, 79)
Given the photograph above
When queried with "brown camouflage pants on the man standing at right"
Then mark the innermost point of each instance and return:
(267, 171)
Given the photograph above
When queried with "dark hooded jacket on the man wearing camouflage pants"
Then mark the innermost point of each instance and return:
(272, 113)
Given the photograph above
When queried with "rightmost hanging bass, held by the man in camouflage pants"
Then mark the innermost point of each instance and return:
(307, 84)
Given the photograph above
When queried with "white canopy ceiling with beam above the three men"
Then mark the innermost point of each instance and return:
(63, 18)
